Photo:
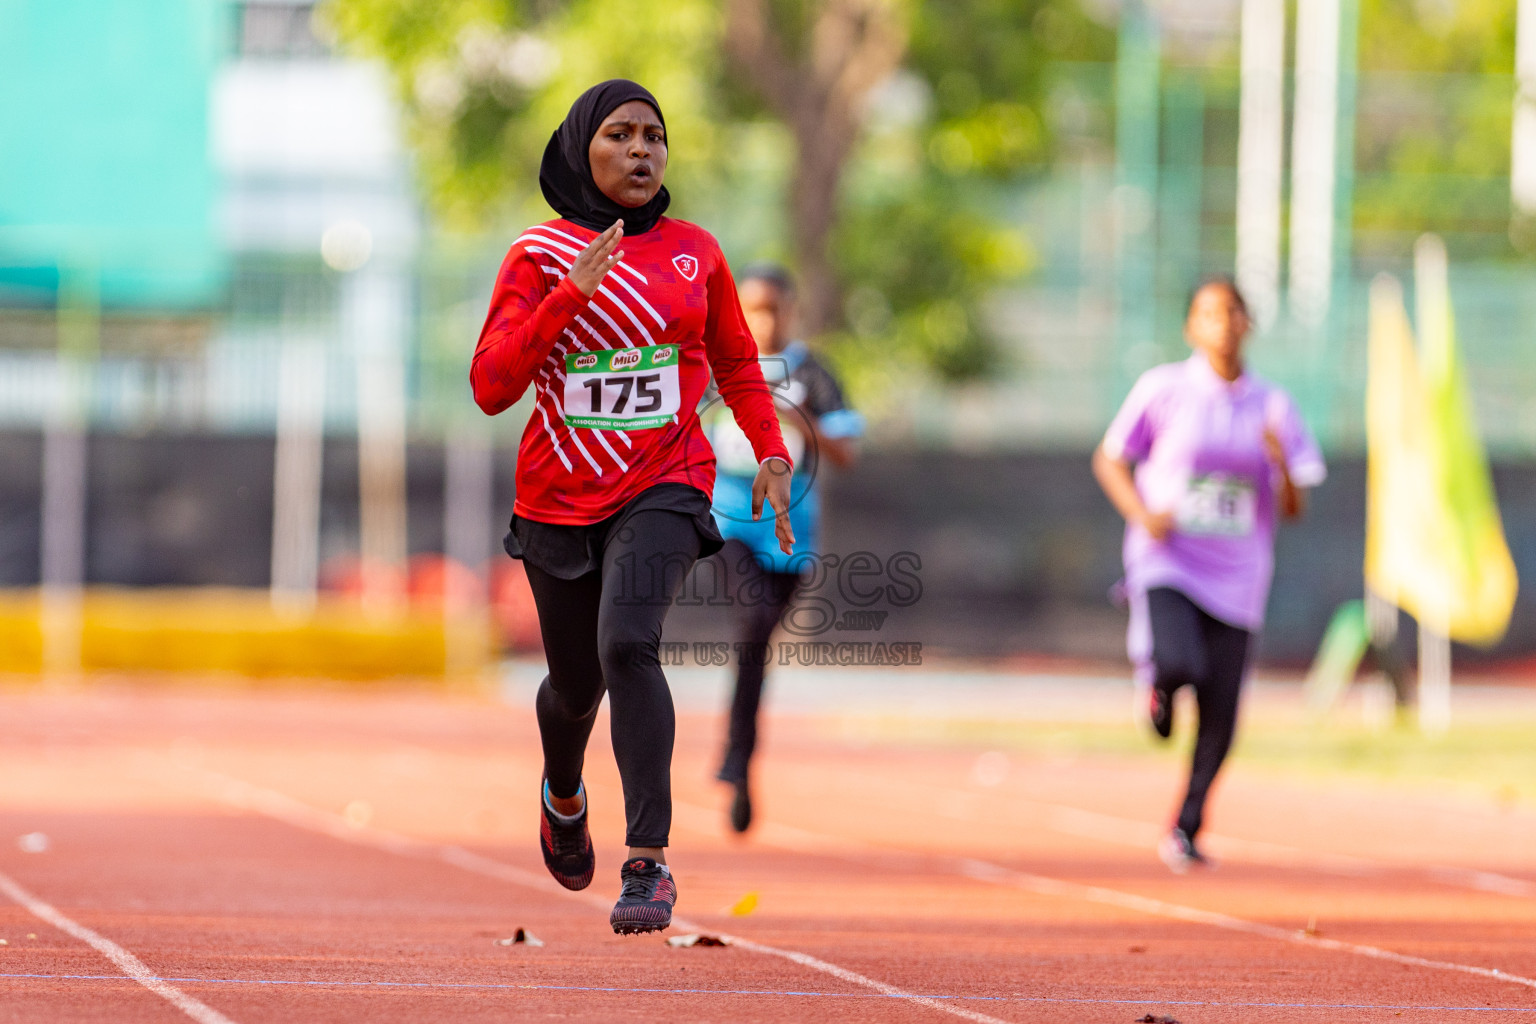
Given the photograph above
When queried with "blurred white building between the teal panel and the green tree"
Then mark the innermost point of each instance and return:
(319, 214)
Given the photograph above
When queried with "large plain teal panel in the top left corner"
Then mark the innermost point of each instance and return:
(105, 168)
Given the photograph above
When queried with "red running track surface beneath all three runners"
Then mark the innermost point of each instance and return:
(345, 857)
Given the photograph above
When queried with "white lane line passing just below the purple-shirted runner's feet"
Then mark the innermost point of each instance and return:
(869, 854)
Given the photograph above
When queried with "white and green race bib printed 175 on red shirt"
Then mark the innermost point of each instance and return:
(623, 389)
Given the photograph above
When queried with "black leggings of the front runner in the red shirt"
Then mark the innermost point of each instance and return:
(603, 633)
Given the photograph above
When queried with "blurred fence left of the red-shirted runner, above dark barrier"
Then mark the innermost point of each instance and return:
(220, 372)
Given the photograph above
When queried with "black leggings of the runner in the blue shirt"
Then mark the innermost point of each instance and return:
(758, 601)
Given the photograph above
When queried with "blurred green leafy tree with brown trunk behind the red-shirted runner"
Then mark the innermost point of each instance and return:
(890, 131)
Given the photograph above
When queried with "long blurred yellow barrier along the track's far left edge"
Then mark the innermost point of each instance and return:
(237, 632)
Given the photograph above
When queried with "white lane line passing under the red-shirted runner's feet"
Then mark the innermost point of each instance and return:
(277, 805)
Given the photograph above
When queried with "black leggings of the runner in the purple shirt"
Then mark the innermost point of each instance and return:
(1190, 647)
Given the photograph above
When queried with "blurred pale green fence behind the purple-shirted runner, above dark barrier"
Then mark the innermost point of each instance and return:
(1073, 351)
